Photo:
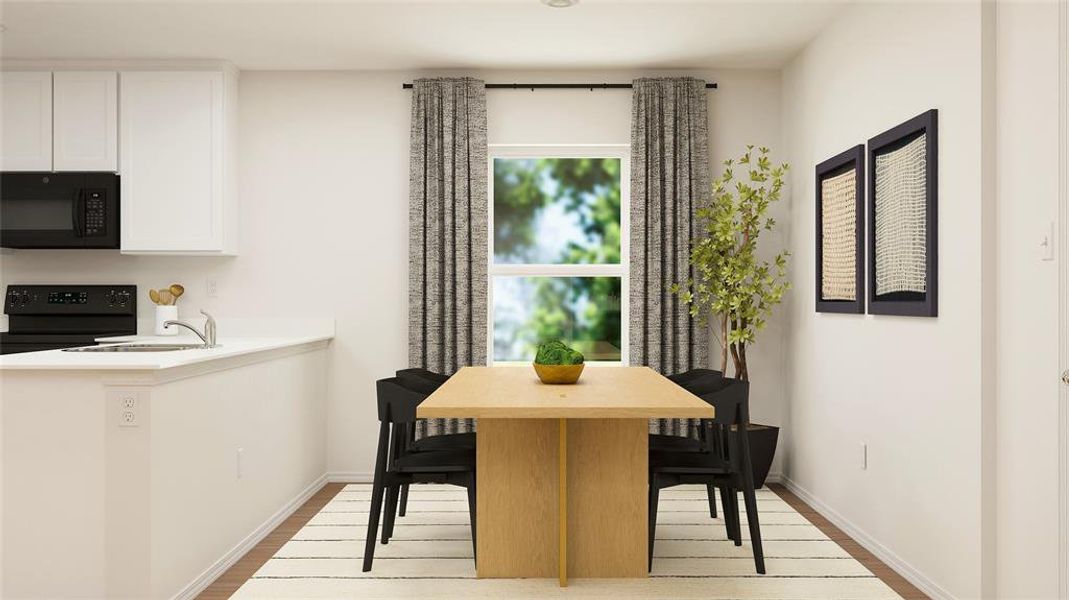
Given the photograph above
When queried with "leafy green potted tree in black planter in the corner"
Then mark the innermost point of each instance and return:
(733, 288)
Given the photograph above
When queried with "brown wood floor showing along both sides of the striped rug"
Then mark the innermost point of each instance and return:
(230, 581)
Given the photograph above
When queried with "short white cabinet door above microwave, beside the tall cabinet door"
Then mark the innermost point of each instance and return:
(86, 120)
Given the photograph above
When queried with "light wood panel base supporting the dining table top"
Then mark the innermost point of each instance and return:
(562, 498)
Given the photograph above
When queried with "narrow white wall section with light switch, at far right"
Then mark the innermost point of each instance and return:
(1028, 457)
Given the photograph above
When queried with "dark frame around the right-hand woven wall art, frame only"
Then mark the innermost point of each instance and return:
(908, 303)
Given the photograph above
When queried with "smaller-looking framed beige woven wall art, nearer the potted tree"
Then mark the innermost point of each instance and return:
(841, 233)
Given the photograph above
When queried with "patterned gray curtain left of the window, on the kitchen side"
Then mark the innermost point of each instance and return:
(447, 232)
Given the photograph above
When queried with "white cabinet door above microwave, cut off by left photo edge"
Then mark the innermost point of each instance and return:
(26, 121)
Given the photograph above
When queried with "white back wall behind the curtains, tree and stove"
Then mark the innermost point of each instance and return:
(324, 179)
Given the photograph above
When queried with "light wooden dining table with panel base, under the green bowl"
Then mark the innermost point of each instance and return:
(562, 471)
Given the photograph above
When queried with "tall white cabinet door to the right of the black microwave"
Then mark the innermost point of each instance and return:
(175, 131)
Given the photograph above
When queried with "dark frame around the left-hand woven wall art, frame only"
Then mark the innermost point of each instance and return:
(853, 160)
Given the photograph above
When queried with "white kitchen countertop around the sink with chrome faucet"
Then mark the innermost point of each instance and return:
(289, 334)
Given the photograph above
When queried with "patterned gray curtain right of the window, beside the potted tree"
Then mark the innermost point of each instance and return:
(670, 178)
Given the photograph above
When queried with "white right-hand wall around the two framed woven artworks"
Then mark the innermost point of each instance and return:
(909, 388)
